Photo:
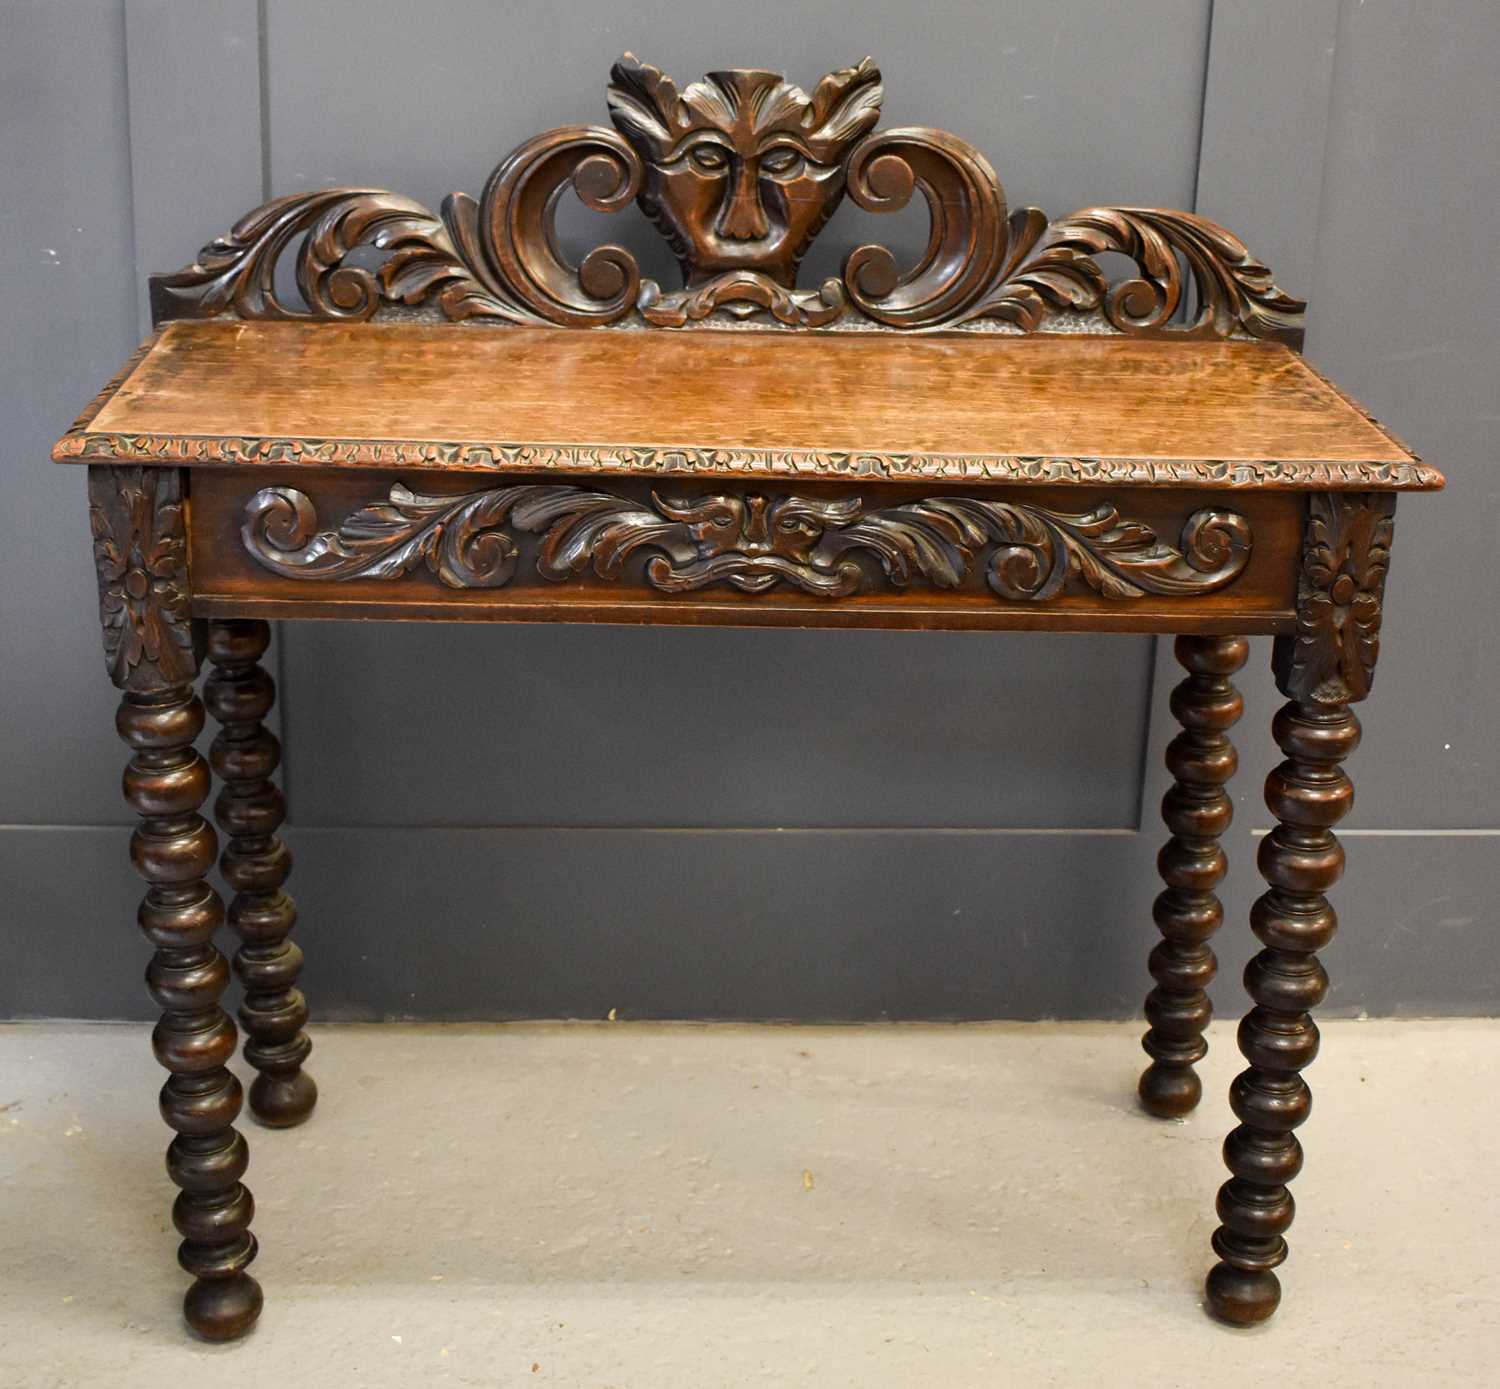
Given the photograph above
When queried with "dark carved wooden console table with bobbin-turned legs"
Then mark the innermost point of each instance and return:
(995, 439)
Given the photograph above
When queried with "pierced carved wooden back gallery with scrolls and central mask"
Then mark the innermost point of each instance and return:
(739, 172)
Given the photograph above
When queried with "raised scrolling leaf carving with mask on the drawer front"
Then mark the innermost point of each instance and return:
(748, 542)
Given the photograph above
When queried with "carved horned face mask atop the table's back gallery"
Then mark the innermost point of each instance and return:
(742, 169)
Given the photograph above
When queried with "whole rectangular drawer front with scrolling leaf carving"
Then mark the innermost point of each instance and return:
(709, 551)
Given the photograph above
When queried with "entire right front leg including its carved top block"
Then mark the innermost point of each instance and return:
(1322, 668)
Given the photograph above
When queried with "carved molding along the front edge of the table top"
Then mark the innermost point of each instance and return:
(688, 460)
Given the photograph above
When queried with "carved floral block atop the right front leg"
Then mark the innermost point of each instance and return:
(1346, 553)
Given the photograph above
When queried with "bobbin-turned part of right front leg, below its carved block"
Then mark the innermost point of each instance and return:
(1301, 859)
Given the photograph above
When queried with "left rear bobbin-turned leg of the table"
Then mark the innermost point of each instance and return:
(256, 865)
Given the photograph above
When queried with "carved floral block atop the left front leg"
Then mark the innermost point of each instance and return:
(140, 548)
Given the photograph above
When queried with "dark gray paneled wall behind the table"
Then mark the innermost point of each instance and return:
(719, 824)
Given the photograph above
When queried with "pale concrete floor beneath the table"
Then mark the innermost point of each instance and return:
(788, 1207)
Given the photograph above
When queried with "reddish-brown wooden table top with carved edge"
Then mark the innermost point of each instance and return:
(977, 407)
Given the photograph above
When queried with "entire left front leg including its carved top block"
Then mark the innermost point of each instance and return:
(152, 649)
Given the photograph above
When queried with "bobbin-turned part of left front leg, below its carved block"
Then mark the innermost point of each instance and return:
(166, 782)
